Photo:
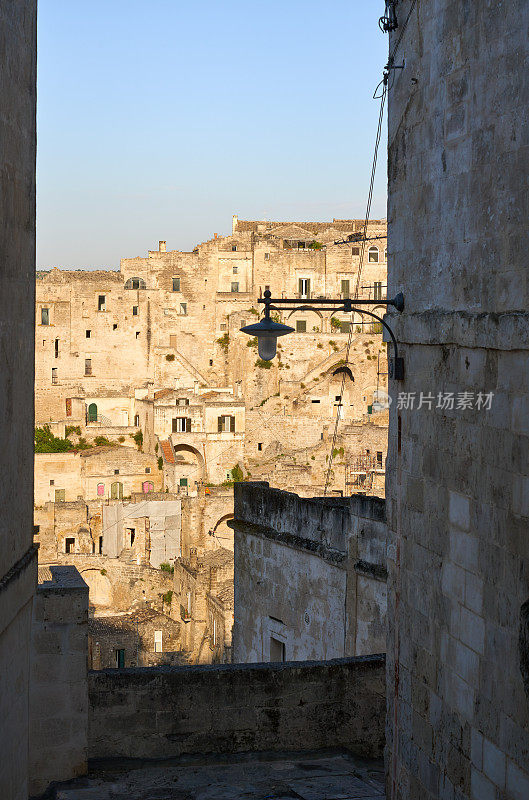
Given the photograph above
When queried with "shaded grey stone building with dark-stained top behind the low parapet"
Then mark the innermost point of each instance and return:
(310, 576)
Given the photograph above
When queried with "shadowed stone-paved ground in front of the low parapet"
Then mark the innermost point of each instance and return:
(314, 776)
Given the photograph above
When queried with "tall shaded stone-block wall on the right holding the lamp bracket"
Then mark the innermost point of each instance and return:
(458, 478)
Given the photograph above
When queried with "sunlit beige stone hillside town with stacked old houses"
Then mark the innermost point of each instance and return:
(150, 404)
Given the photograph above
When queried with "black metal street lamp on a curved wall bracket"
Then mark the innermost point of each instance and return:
(267, 330)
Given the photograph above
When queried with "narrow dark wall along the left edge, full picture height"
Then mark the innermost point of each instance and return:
(17, 298)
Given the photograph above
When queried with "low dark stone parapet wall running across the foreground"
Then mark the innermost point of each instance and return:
(165, 712)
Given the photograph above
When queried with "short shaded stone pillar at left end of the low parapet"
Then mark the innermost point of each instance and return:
(58, 683)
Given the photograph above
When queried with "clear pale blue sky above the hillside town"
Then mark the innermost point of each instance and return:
(161, 119)
